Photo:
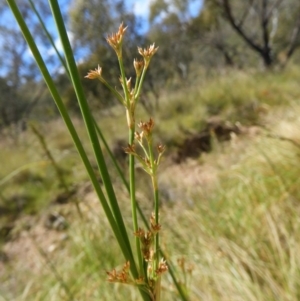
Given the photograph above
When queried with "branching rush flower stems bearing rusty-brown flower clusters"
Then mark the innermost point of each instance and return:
(150, 265)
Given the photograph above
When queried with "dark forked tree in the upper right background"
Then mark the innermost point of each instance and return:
(269, 28)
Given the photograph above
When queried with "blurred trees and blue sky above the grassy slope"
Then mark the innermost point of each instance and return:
(245, 35)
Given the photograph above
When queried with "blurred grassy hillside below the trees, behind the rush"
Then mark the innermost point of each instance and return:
(230, 217)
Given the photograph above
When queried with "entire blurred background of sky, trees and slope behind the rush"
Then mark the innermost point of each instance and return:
(226, 71)
